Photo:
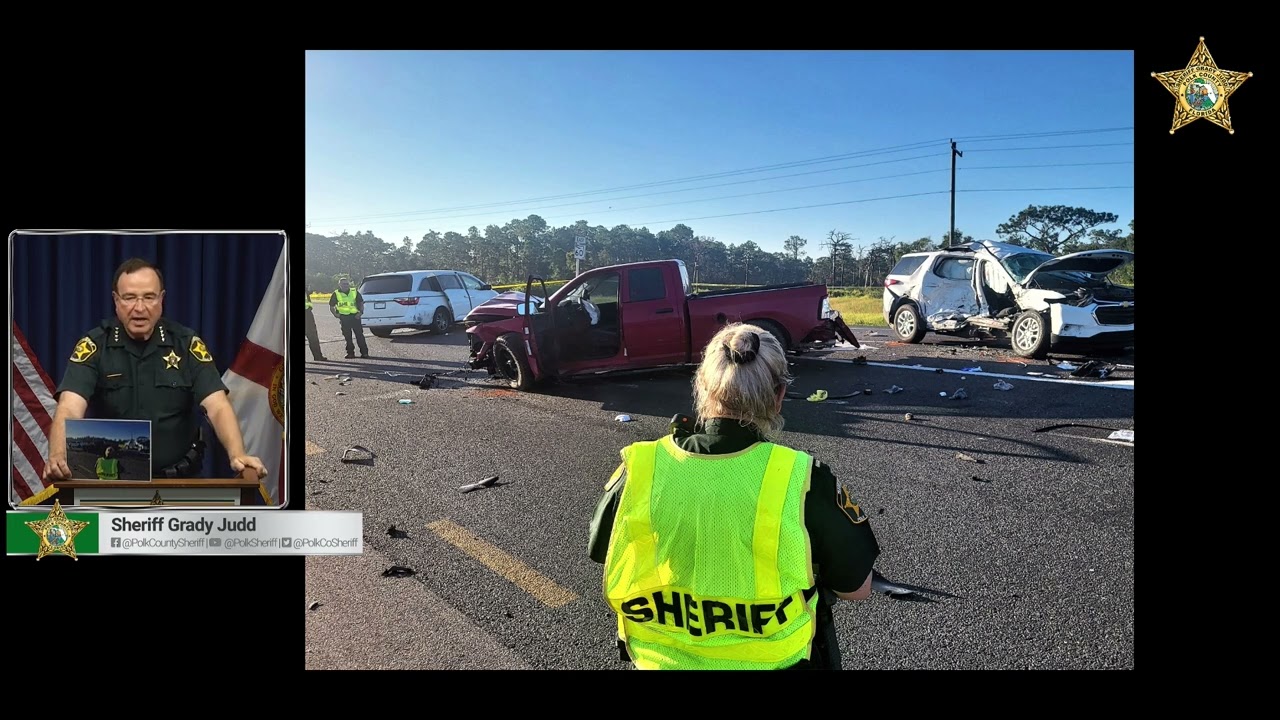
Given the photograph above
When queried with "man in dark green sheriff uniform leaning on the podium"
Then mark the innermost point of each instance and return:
(141, 366)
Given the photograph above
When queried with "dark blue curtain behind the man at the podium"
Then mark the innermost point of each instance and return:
(62, 289)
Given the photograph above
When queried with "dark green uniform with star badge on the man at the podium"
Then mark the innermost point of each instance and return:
(162, 380)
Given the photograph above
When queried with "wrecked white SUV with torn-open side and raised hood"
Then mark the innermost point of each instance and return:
(1040, 302)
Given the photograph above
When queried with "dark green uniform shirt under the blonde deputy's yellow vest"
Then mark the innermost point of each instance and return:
(843, 543)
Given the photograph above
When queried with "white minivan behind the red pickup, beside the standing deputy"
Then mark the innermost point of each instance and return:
(420, 300)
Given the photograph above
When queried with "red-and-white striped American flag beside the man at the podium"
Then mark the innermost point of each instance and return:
(33, 416)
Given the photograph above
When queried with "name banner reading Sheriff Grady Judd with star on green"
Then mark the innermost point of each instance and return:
(189, 532)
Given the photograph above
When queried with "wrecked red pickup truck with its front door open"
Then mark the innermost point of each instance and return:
(636, 317)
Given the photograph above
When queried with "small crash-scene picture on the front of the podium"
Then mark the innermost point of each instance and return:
(109, 450)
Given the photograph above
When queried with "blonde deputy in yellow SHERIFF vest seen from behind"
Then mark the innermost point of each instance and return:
(721, 549)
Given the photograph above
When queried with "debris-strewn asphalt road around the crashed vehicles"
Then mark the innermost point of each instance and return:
(1035, 540)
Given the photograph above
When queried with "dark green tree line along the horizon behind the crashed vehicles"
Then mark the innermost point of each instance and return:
(509, 254)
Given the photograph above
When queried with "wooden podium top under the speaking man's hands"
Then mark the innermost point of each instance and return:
(191, 493)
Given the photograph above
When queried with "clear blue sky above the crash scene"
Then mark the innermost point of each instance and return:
(409, 142)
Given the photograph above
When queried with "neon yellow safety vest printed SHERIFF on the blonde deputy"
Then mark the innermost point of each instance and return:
(710, 564)
